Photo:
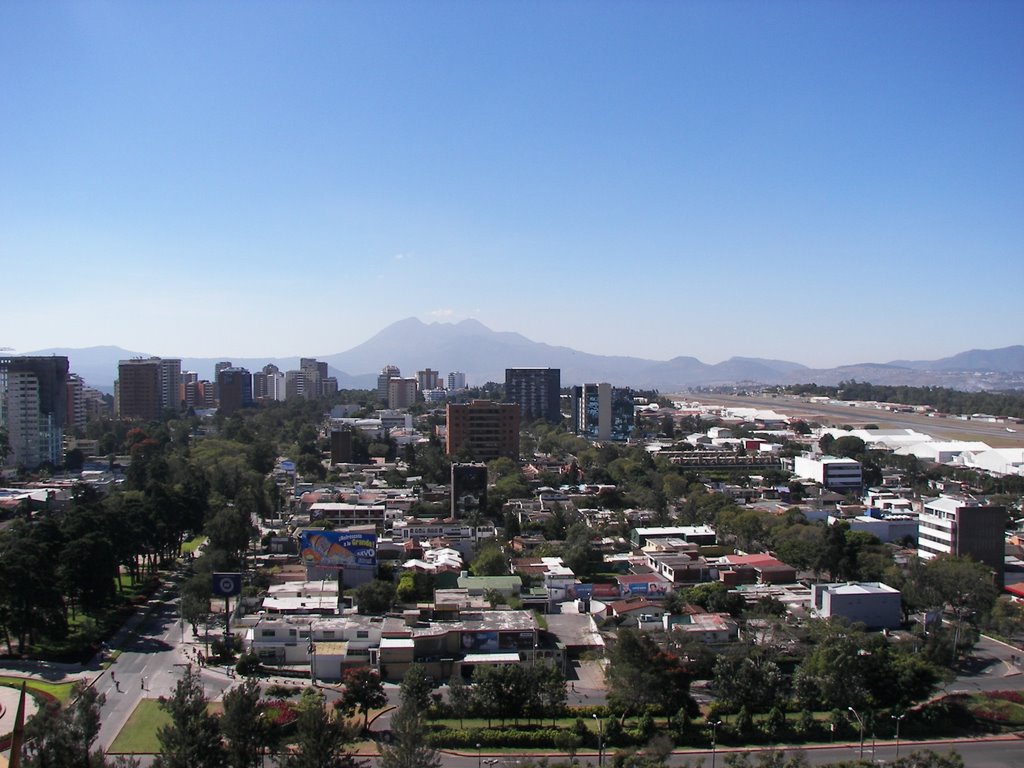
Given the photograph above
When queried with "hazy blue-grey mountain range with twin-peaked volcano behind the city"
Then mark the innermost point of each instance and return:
(484, 355)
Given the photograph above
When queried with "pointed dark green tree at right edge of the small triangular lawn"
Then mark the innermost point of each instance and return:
(193, 737)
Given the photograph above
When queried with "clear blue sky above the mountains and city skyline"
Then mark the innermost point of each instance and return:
(827, 183)
